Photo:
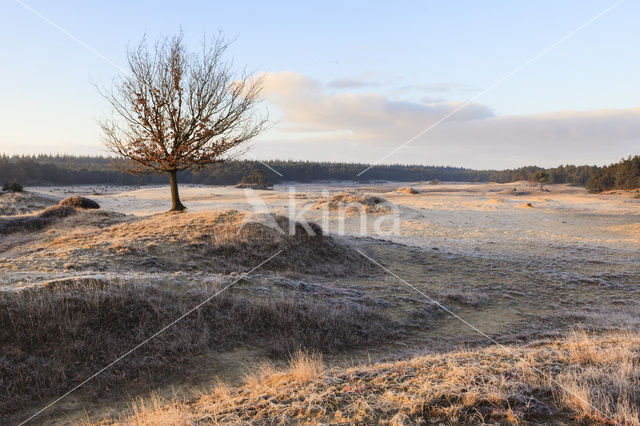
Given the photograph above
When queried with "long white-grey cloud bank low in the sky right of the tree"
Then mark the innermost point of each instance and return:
(318, 123)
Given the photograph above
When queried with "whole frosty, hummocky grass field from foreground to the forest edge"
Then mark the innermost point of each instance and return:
(450, 303)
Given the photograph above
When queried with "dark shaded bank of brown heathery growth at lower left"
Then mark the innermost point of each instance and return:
(53, 338)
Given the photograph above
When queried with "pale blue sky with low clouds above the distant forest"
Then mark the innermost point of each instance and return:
(350, 81)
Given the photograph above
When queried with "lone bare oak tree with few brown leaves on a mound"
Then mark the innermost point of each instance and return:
(177, 110)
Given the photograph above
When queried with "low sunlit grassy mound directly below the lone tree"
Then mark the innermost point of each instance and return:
(213, 241)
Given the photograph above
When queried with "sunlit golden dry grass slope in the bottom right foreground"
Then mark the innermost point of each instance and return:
(548, 382)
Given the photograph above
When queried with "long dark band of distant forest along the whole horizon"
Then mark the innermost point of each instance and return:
(85, 170)
